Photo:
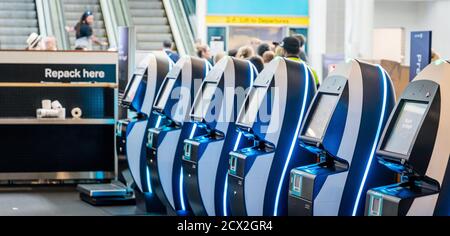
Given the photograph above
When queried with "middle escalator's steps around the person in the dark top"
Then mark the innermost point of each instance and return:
(73, 9)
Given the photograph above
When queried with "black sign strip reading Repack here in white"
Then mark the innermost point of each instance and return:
(36, 73)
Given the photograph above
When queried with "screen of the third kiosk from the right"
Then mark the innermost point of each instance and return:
(255, 99)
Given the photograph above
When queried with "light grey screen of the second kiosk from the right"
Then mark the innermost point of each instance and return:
(321, 116)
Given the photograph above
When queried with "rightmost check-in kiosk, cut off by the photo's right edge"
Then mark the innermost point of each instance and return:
(415, 144)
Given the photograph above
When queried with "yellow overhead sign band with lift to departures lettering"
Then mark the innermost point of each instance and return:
(257, 20)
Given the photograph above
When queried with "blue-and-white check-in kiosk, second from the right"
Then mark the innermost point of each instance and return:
(343, 127)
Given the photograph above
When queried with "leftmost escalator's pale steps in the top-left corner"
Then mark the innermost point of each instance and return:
(18, 19)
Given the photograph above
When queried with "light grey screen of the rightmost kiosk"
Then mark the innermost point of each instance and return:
(403, 132)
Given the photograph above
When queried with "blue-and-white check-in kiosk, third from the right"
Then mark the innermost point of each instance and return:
(270, 118)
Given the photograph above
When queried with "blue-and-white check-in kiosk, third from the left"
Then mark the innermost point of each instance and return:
(214, 135)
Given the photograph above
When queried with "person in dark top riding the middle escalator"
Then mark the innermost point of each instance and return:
(84, 33)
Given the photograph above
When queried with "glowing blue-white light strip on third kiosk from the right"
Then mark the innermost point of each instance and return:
(294, 141)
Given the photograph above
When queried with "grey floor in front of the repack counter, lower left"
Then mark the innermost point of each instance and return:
(54, 201)
